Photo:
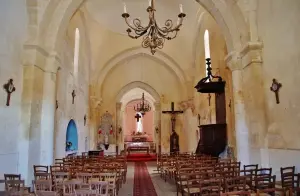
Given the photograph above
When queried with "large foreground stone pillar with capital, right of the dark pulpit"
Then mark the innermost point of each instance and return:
(248, 95)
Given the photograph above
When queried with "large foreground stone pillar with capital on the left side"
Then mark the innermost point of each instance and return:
(38, 111)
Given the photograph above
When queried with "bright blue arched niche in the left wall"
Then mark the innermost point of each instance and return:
(71, 138)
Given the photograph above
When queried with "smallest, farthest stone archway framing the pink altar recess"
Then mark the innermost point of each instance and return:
(157, 107)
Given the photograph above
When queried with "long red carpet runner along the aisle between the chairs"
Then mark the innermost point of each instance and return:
(143, 185)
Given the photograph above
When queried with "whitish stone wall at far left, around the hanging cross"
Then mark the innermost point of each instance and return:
(13, 32)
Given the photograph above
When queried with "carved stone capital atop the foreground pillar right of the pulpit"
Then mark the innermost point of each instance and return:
(250, 53)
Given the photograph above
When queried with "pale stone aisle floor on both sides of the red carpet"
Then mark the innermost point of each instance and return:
(162, 188)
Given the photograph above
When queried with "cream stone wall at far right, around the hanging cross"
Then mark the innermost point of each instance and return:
(278, 26)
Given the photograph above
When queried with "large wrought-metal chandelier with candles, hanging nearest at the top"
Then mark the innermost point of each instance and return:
(154, 36)
